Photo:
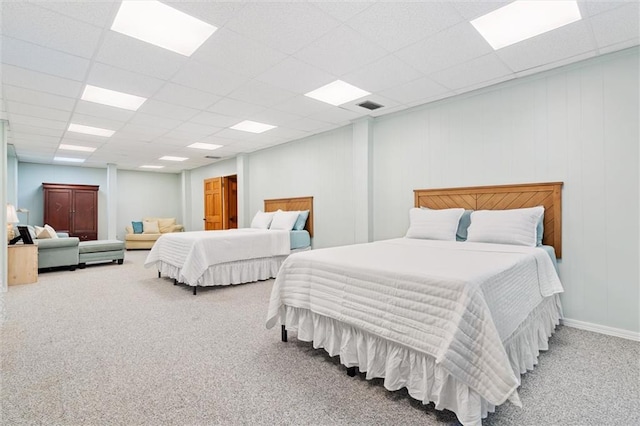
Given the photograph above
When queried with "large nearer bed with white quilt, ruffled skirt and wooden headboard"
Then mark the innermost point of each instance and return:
(456, 323)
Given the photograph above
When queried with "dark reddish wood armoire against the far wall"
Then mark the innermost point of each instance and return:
(72, 208)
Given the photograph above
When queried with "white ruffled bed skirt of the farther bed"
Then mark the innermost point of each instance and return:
(230, 273)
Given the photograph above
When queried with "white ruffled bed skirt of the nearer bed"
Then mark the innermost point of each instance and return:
(402, 367)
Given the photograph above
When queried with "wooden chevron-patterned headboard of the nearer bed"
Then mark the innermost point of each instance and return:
(503, 197)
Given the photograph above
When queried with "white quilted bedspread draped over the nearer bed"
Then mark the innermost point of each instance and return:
(454, 301)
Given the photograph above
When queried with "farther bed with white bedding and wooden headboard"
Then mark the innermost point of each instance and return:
(233, 256)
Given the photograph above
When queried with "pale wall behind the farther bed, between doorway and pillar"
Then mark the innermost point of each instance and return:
(318, 166)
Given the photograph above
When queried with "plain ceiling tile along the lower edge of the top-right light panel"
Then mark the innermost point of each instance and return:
(547, 48)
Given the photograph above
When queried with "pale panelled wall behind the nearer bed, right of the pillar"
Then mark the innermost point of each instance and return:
(579, 125)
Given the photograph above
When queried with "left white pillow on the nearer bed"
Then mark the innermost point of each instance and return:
(434, 224)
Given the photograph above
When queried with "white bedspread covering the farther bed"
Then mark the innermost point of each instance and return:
(194, 252)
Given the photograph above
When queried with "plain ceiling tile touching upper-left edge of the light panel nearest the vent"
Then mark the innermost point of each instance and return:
(296, 76)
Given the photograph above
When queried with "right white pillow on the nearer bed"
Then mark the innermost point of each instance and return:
(517, 226)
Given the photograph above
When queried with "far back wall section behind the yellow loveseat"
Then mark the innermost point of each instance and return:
(144, 194)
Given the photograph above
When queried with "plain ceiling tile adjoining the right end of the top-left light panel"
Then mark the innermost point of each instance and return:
(232, 52)
